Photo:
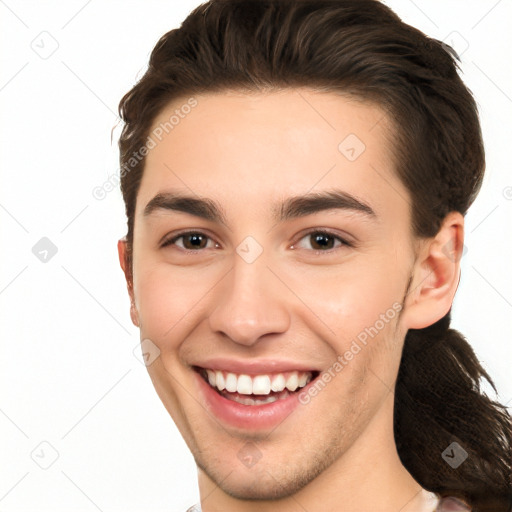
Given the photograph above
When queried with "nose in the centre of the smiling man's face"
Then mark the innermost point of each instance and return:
(250, 303)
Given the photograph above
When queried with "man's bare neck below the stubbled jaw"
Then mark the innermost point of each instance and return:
(368, 476)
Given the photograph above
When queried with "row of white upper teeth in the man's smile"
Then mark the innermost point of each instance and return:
(257, 384)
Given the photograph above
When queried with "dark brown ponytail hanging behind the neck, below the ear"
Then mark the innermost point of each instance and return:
(438, 402)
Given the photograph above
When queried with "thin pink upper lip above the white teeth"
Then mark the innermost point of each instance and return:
(254, 366)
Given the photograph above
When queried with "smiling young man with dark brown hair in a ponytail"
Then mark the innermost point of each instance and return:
(295, 225)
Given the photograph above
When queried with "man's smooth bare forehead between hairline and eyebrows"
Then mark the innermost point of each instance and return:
(260, 147)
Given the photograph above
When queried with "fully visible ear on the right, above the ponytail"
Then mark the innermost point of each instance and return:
(435, 275)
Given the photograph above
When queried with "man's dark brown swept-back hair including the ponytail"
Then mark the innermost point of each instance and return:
(361, 48)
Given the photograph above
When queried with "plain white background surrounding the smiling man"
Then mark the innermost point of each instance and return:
(68, 375)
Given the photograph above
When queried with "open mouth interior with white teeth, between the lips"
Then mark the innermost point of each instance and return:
(254, 390)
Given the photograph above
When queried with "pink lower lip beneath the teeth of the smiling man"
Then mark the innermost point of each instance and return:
(248, 417)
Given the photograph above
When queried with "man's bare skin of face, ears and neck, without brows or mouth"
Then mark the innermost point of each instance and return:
(249, 152)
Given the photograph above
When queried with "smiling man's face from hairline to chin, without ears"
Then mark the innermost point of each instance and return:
(272, 252)
